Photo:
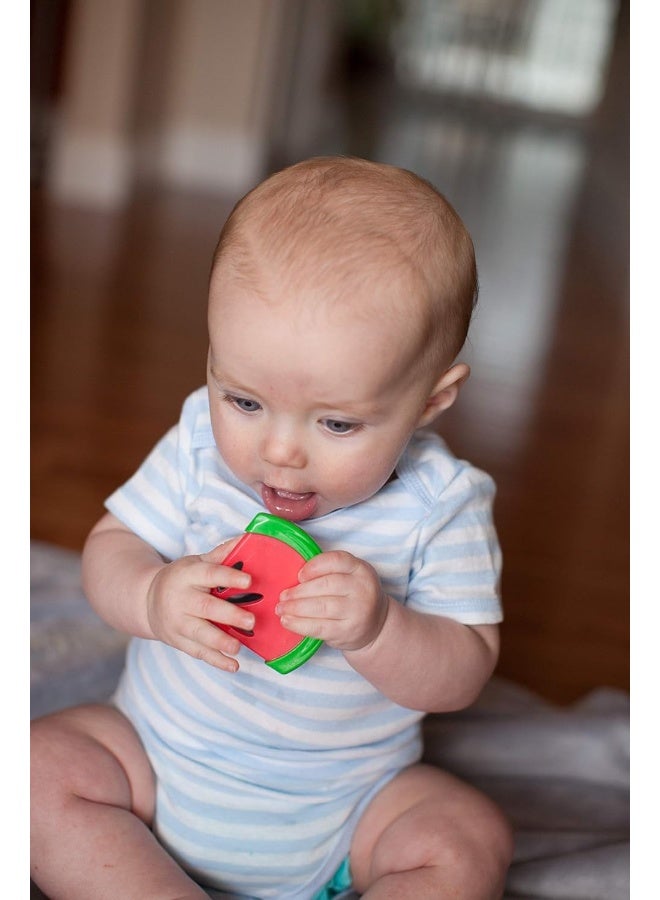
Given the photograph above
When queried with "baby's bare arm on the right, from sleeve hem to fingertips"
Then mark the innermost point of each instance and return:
(419, 660)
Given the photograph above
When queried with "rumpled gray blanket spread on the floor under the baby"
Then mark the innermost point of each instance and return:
(560, 774)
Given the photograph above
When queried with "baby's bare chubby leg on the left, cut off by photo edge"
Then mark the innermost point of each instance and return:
(93, 796)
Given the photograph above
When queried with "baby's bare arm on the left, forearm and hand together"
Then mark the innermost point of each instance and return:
(136, 591)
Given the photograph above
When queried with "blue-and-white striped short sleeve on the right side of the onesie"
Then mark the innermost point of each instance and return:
(458, 565)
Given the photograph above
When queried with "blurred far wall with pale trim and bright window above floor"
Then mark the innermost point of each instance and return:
(211, 93)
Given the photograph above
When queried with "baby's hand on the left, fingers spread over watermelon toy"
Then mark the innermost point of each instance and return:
(180, 605)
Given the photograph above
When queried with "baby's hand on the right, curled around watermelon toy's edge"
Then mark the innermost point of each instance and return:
(339, 599)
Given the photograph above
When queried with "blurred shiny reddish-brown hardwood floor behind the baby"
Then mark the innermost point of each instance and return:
(118, 340)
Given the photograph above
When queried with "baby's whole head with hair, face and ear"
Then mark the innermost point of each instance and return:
(341, 292)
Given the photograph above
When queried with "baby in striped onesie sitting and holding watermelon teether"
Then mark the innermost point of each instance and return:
(340, 295)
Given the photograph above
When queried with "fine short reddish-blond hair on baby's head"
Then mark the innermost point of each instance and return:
(348, 221)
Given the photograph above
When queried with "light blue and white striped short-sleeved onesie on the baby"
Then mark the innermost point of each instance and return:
(262, 777)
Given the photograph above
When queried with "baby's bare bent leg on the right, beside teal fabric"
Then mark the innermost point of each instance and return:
(429, 835)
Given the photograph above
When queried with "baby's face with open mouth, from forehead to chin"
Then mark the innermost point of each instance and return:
(311, 410)
